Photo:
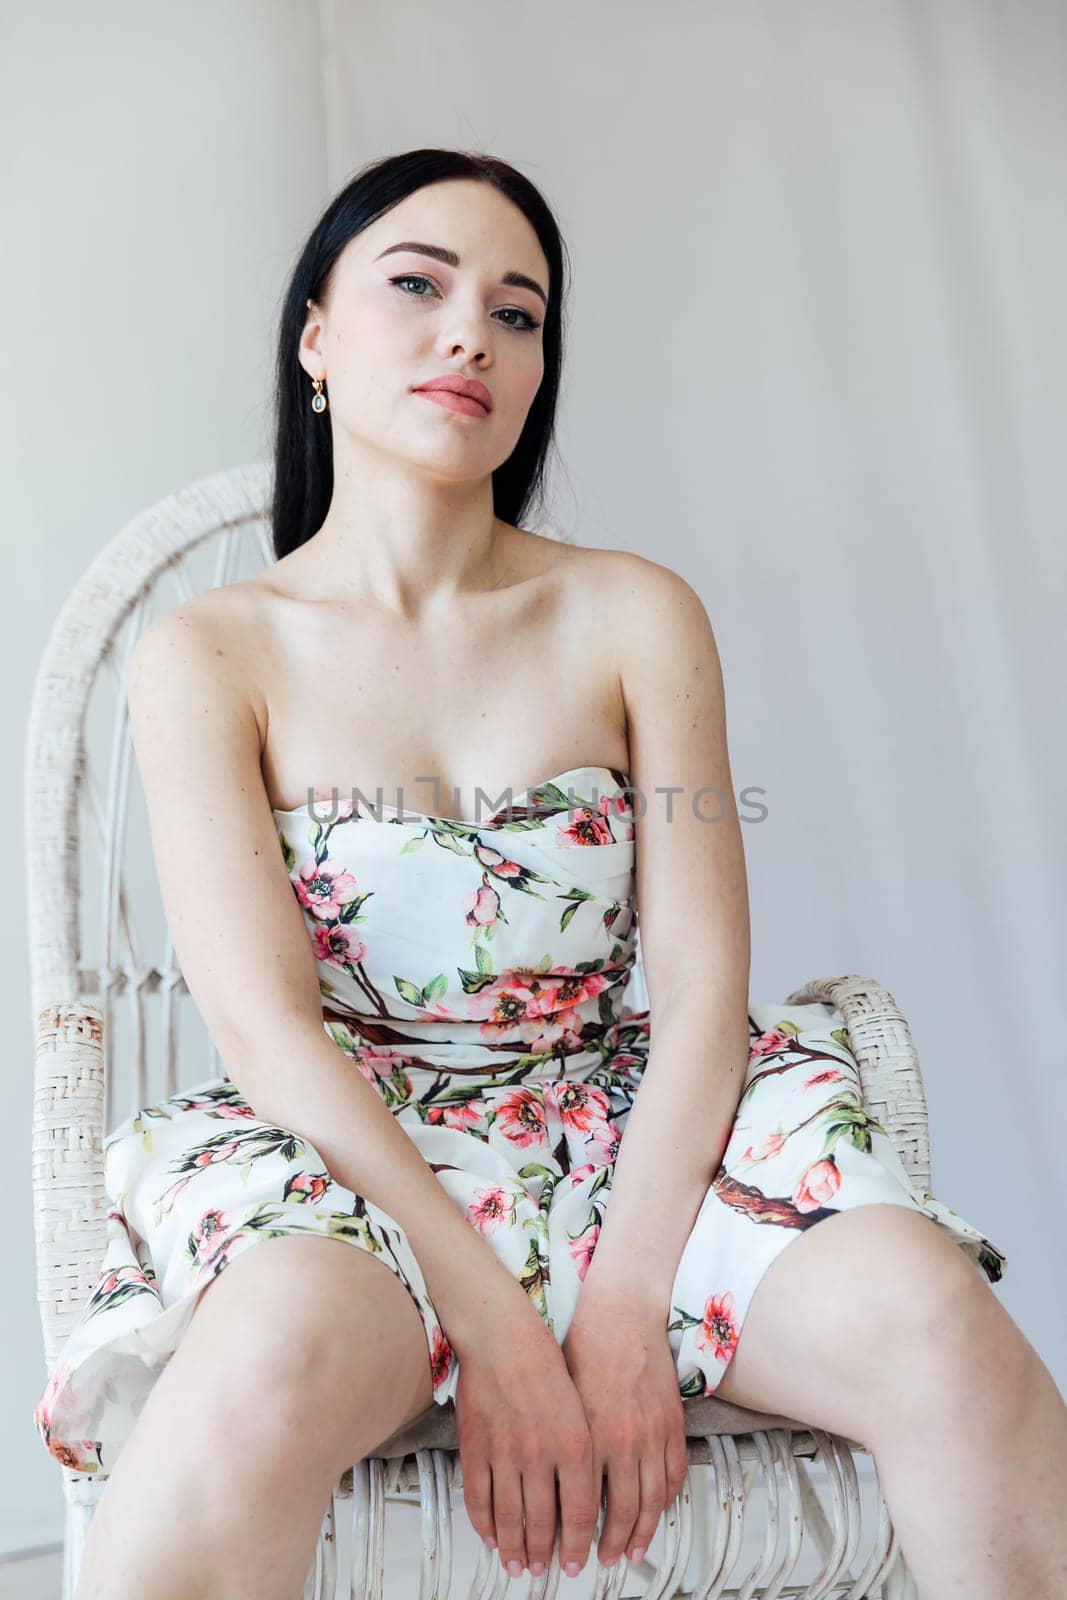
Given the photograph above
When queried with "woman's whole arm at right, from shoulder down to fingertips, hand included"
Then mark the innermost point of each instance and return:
(693, 908)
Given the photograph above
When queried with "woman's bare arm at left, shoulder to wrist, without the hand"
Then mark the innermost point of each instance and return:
(247, 959)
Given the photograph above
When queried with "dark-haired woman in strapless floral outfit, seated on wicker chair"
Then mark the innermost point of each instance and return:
(422, 1001)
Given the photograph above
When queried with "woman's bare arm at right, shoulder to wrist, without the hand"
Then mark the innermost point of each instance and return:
(693, 910)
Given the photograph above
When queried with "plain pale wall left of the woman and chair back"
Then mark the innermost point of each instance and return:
(169, 162)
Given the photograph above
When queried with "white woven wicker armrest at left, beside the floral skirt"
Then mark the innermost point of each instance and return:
(68, 1164)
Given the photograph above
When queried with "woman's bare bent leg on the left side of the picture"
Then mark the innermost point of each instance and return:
(302, 1358)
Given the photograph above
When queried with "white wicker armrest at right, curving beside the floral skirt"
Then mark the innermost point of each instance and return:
(889, 1065)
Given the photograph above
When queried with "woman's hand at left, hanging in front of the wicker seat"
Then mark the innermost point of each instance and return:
(519, 1423)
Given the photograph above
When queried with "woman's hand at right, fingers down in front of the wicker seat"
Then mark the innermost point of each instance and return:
(625, 1372)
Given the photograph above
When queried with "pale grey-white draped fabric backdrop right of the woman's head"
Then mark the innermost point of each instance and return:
(818, 366)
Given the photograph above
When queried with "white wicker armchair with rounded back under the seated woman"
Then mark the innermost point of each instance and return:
(108, 1001)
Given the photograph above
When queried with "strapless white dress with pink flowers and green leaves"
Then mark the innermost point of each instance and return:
(474, 975)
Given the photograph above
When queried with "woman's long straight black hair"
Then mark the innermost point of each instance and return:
(303, 454)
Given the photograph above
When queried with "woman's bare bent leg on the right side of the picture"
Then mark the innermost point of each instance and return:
(876, 1326)
